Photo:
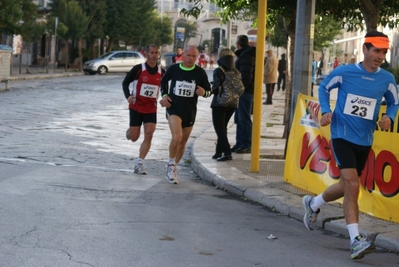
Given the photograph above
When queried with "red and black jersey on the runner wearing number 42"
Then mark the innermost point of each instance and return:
(143, 83)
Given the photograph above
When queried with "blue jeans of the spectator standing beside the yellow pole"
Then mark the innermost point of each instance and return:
(242, 118)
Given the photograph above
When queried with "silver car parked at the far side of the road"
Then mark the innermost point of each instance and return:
(115, 61)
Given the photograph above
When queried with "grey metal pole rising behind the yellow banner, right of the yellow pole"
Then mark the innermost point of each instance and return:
(301, 81)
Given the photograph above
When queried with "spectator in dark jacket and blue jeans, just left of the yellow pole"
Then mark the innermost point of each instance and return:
(245, 64)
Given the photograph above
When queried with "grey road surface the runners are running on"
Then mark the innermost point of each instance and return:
(69, 196)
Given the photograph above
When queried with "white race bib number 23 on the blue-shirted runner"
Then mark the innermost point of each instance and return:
(360, 106)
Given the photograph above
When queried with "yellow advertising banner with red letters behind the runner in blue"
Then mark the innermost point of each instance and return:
(310, 162)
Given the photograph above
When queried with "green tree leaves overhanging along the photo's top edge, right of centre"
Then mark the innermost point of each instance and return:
(353, 14)
